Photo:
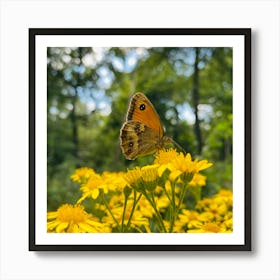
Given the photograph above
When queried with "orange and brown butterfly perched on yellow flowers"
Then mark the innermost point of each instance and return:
(142, 133)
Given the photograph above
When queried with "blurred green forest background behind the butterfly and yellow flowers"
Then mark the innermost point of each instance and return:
(88, 94)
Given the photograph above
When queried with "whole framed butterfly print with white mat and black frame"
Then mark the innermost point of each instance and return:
(140, 139)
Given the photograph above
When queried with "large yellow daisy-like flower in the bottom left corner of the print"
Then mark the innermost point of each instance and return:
(73, 219)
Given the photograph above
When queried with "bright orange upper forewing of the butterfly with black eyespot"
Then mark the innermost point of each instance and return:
(142, 110)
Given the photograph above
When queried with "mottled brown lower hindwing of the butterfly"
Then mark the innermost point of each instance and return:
(137, 139)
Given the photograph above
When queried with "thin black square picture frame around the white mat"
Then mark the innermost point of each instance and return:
(33, 35)
